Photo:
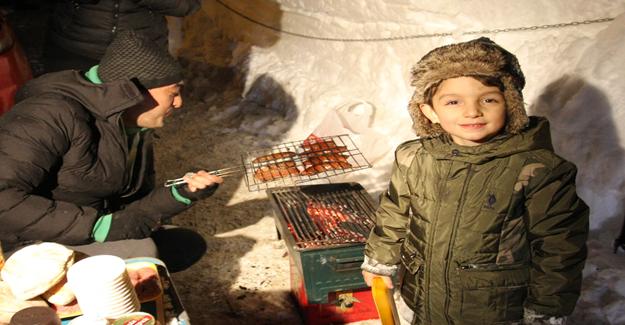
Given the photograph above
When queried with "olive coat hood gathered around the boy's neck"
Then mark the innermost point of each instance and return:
(536, 136)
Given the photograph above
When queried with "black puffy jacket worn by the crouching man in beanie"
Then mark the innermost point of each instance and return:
(64, 158)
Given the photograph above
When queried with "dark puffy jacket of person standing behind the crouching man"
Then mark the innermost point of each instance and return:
(86, 27)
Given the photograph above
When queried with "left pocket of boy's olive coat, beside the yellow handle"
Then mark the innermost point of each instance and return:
(411, 278)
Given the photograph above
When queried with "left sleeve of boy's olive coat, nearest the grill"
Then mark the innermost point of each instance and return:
(392, 215)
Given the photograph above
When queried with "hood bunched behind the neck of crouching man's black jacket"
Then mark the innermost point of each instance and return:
(103, 100)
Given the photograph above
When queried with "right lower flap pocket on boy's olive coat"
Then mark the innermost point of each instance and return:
(493, 294)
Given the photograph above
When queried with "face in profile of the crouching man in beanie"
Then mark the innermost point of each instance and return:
(158, 104)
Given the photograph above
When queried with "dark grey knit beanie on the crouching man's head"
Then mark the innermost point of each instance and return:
(132, 55)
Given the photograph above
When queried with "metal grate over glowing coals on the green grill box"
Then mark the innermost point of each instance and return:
(322, 216)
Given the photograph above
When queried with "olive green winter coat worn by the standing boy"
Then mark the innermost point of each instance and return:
(483, 231)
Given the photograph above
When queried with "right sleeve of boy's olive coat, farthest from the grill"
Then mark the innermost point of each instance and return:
(557, 231)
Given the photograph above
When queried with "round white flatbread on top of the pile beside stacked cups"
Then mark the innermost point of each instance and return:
(34, 269)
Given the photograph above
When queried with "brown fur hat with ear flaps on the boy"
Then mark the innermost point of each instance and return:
(478, 57)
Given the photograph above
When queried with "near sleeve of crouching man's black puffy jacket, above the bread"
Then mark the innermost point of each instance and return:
(33, 139)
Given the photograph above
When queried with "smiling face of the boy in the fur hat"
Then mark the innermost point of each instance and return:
(469, 111)
